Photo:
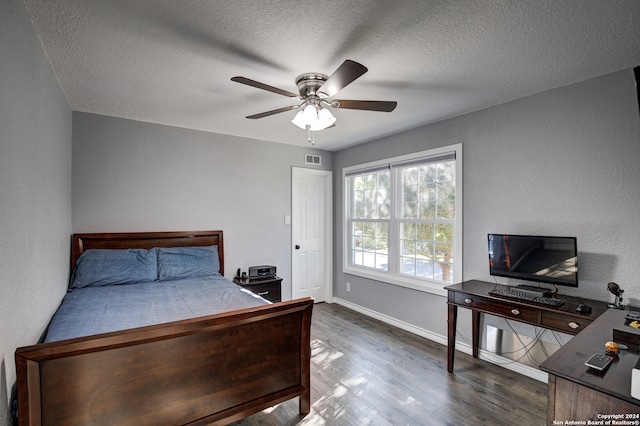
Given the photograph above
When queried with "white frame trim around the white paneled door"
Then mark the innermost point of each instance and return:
(328, 226)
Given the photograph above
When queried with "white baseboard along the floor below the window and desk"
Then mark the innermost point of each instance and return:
(525, 370)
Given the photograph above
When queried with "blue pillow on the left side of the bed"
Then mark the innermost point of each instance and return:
(99, 267)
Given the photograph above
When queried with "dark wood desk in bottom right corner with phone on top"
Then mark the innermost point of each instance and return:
(576, 392)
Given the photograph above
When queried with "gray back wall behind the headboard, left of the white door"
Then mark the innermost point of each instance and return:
(134, 176)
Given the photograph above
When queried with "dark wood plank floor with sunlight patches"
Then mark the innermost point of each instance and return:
(365, 372)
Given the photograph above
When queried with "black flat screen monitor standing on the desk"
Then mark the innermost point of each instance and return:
(552, 260)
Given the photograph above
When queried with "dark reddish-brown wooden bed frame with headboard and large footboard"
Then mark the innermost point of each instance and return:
(208, 370)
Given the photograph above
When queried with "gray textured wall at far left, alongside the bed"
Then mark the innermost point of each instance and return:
(35, 190)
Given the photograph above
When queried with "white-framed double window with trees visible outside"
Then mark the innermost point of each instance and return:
(403, 219)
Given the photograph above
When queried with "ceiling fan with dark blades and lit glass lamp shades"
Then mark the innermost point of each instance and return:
(315, 89)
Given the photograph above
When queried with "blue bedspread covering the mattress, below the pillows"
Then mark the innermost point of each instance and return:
(93, 310)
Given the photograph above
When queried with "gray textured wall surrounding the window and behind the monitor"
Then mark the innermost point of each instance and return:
(563, 162)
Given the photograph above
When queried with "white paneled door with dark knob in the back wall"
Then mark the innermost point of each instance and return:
(311, 234)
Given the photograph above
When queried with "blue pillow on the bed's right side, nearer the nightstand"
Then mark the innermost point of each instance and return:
(187, 262)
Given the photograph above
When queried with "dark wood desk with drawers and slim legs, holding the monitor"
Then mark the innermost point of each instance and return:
(475, 295)
